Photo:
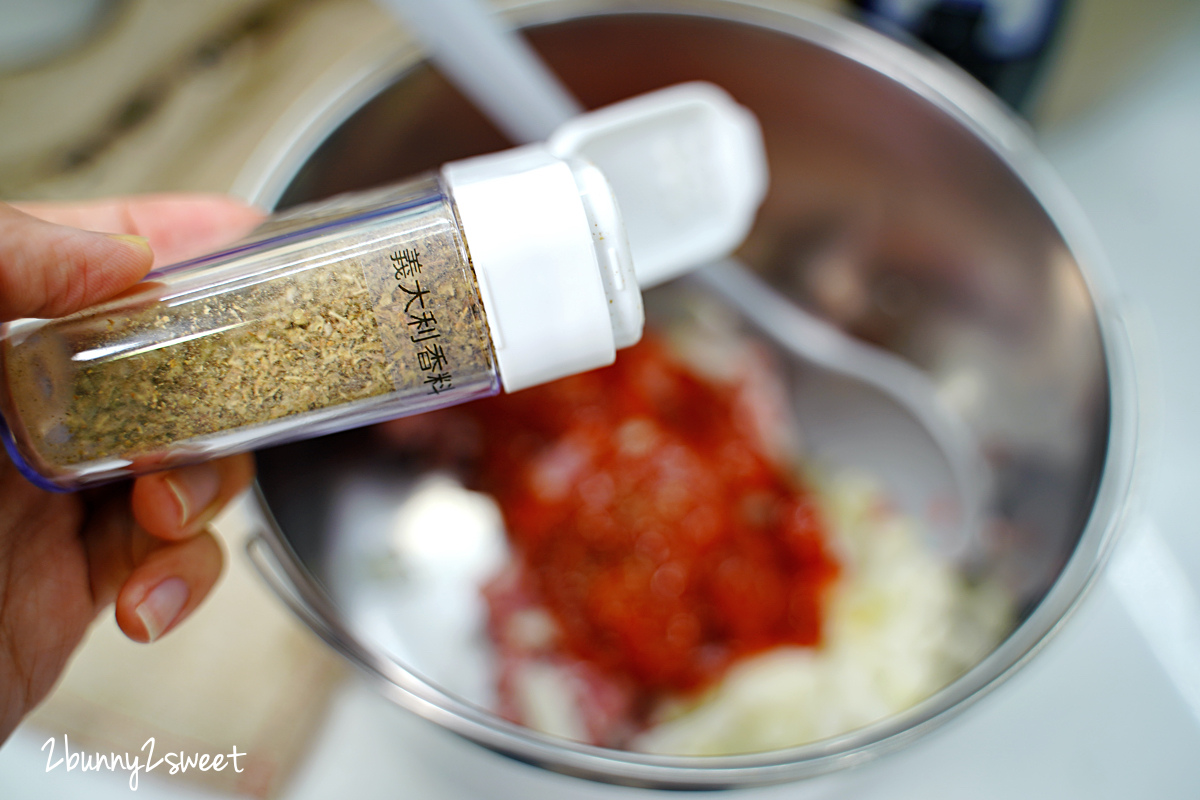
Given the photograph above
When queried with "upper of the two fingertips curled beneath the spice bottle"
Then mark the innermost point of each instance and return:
(179, 503)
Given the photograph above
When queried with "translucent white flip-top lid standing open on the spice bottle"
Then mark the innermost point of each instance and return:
(688, 167)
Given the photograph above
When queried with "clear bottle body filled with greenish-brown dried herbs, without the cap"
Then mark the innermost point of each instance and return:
(389, 309)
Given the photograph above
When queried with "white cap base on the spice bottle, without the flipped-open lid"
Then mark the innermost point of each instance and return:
(551, 260)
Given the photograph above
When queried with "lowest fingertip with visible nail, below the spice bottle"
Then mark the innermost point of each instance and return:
(167, 587)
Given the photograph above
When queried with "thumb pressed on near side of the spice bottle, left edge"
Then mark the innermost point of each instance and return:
(51, 270)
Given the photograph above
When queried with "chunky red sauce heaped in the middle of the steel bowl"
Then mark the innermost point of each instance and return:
(650, 524)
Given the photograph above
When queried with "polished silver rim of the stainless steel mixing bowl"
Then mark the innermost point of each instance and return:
(946, 88)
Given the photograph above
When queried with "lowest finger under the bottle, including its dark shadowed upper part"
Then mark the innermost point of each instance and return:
(155, 585)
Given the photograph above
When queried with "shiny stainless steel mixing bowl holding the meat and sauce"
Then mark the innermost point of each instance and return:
(907, 207)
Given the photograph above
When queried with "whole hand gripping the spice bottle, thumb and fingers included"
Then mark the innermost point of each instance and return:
(141, 545)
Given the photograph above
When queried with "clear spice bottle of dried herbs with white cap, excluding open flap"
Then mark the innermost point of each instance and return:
(497, 273)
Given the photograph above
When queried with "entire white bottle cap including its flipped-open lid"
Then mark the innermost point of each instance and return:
(551, 252)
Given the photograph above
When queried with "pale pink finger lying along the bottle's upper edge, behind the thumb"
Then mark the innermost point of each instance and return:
(178, 226)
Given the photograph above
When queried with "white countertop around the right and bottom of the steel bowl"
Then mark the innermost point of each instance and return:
(1109, 709)
